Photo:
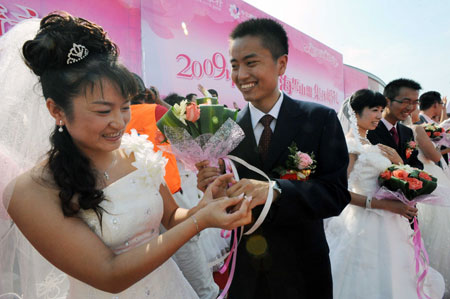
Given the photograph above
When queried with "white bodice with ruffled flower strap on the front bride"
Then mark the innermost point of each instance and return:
(133, 207)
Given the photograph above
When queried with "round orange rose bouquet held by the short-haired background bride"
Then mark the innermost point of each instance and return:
(410, 181)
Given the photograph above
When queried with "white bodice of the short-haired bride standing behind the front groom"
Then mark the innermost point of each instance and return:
(369, 164)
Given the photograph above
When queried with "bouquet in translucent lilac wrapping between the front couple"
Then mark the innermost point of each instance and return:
(200, 132)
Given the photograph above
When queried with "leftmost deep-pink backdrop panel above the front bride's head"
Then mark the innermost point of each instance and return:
(120, 18)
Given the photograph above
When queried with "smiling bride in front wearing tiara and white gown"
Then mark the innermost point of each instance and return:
(91, 209)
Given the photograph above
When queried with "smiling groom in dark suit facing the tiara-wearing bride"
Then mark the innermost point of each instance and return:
(287, 257)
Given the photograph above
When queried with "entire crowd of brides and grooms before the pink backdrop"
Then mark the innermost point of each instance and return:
(104, 213)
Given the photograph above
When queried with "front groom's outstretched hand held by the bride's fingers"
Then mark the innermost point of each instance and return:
(257, 190)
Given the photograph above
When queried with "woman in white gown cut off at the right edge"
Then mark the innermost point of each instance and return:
(434, 220)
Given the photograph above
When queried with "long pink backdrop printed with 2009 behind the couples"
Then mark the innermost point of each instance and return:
(175, 45)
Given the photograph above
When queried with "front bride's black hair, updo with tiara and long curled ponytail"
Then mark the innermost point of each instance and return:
(61, 80)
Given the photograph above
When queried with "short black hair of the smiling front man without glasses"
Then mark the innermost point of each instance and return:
(272, 34)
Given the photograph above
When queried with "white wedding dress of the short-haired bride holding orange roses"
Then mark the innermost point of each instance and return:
(371, 251)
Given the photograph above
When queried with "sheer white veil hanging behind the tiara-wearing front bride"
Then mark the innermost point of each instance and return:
(25, 126)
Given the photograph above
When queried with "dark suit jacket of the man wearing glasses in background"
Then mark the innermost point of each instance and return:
(405, 134)
